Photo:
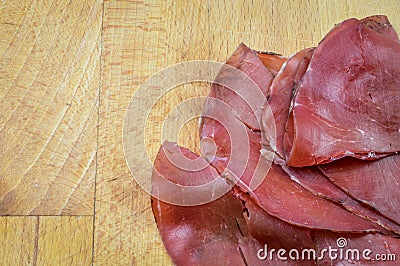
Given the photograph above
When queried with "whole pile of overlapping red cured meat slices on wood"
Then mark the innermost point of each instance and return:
(318, 161)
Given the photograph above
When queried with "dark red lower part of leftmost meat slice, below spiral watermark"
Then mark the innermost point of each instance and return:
(201, 234)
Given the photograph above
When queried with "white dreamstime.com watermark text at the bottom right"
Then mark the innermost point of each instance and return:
(340, 252)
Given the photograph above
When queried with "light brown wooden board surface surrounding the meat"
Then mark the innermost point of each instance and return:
(68, 70)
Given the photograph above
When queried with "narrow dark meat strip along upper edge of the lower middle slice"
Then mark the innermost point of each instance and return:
(313, 180)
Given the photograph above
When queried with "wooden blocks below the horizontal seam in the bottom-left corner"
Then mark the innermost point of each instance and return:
(45, 240)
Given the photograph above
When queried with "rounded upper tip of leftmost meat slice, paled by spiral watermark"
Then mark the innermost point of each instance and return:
(169, 181)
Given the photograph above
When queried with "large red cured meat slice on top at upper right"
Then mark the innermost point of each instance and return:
(346, 104)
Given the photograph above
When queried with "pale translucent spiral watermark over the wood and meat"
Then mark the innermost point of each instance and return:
(153, 90)
